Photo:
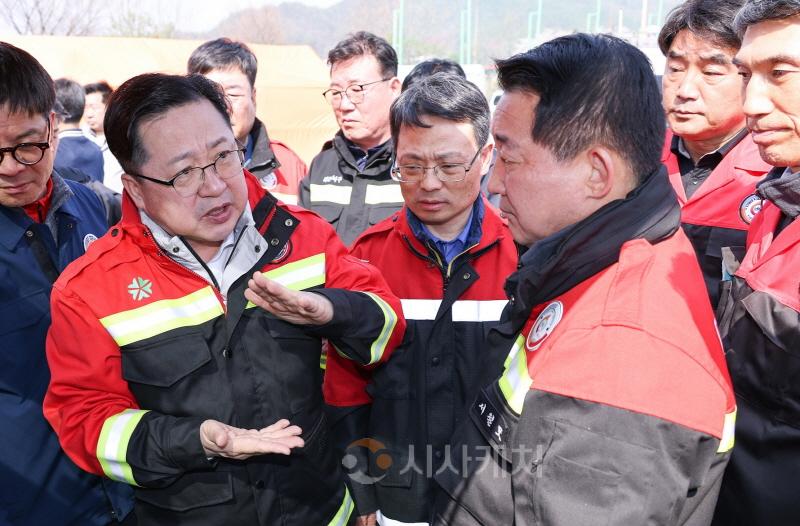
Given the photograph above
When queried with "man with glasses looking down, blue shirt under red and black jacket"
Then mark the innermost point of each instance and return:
(446, 254)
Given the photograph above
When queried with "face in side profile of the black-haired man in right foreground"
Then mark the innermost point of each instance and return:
(539, 195)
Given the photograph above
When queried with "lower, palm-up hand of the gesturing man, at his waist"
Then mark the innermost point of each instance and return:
(222, 440)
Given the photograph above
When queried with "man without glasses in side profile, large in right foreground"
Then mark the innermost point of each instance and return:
(615, 405)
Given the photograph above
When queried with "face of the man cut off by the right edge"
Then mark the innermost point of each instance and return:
(770, 67)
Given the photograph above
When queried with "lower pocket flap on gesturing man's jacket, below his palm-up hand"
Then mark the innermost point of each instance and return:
(192, 490)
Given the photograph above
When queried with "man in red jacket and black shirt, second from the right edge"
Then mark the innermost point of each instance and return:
(712, 161)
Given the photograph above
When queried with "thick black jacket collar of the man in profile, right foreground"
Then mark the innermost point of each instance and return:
(561, 261)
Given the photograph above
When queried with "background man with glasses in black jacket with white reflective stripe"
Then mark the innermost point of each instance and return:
(349, 183)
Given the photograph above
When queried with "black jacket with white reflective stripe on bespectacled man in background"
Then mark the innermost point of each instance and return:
(350, 199)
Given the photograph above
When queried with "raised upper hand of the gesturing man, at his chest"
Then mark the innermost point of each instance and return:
(302, 308)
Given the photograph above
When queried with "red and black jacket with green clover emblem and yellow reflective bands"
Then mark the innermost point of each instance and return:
(141, 361)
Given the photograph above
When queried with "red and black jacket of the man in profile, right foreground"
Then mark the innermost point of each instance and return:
(615, 406)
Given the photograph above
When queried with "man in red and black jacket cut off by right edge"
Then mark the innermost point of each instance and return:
(760, 311)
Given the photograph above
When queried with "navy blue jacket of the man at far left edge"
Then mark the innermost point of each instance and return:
(39, 484)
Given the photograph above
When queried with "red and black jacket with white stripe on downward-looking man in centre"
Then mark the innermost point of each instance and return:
(418, 397)
